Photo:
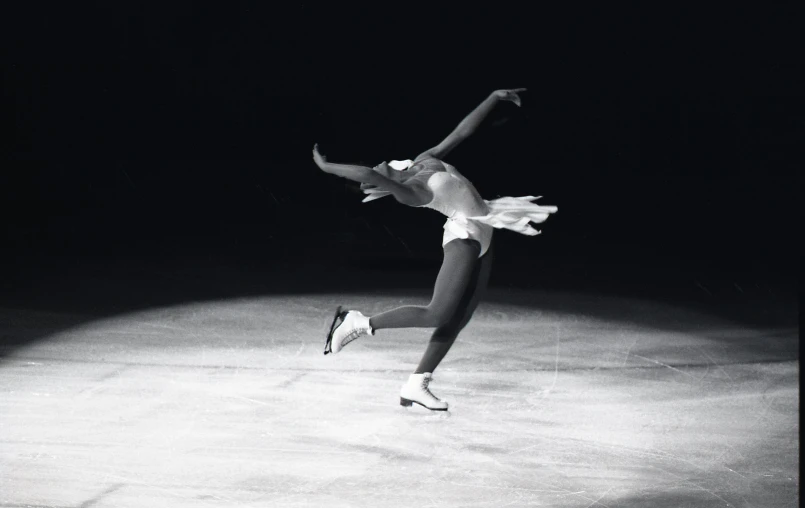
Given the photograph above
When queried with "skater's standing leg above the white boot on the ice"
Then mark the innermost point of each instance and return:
(444, 336)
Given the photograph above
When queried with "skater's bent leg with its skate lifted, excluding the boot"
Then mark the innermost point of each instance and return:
(455, 277)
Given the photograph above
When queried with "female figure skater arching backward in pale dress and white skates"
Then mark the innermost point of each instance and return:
(428, 181)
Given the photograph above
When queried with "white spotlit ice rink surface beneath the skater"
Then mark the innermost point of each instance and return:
(232, 404)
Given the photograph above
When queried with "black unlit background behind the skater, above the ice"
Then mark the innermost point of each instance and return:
(165, 147)
